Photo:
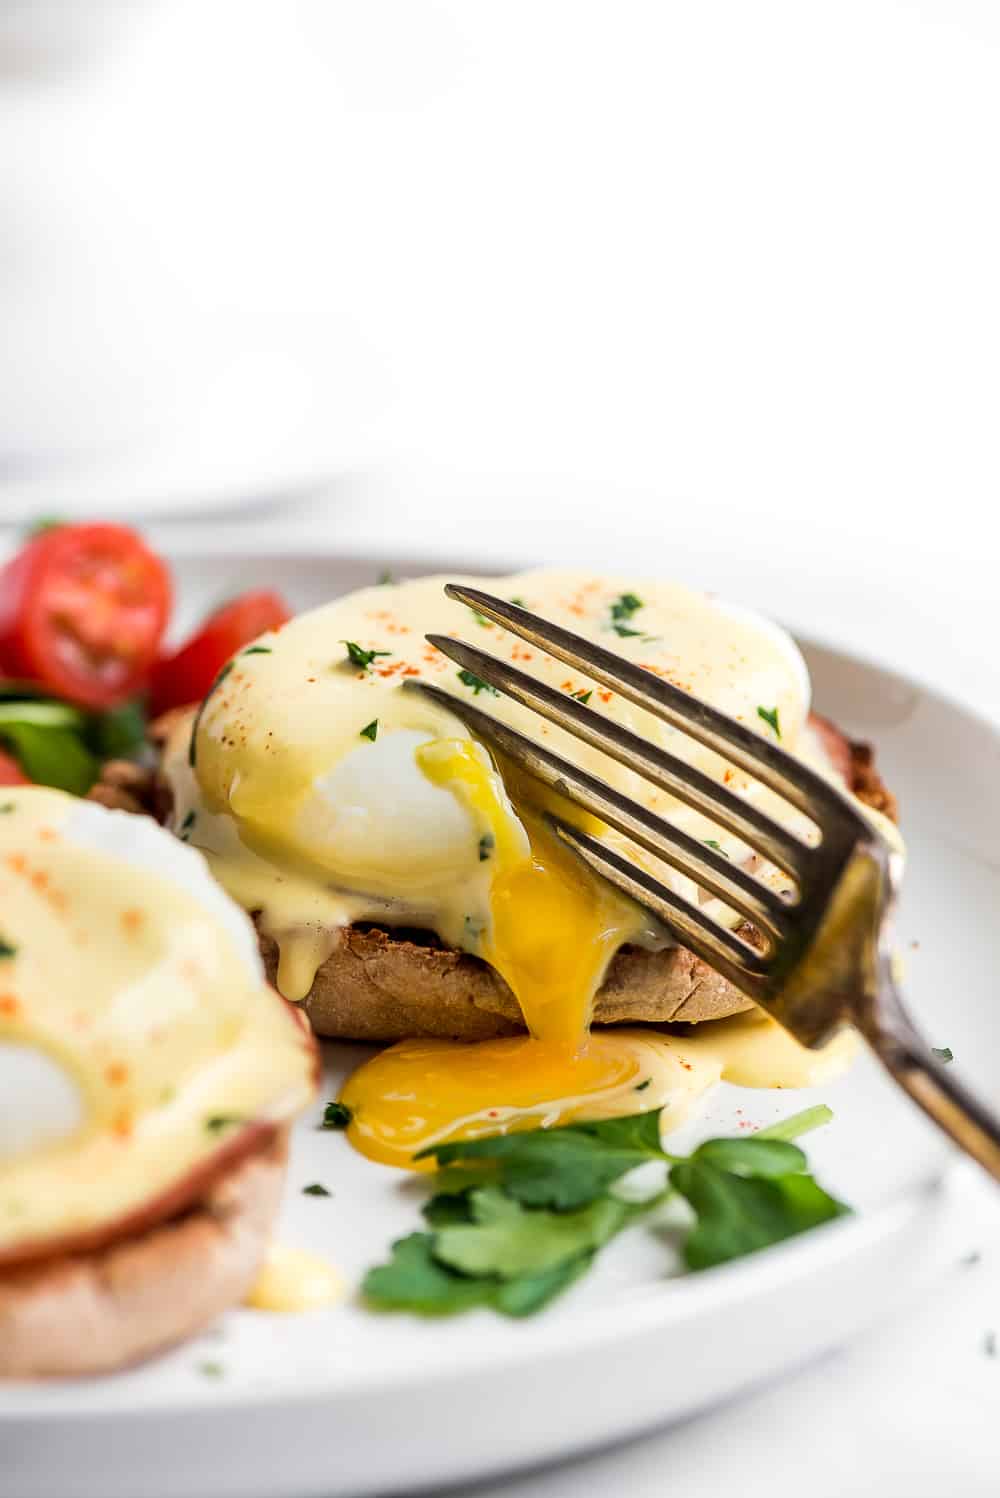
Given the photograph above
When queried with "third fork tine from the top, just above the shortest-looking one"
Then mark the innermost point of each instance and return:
(712, 871)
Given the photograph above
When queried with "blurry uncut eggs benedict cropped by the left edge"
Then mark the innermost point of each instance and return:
(147, 1081)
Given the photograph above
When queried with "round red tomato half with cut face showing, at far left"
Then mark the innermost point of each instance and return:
(83, 610)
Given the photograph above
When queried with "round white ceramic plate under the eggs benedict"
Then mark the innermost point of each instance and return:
(348, 1403)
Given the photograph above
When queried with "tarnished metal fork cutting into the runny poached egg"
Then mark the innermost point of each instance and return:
(826, 956)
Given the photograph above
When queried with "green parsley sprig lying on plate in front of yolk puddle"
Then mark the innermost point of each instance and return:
(517, 1219)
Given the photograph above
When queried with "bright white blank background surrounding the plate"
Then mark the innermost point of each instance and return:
(709, 288)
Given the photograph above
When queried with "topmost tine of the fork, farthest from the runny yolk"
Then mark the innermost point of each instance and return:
(736, 742)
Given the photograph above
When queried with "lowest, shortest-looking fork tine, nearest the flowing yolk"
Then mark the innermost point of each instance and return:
(719, 947)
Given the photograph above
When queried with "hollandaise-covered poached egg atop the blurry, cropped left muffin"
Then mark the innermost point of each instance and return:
(137, 1033)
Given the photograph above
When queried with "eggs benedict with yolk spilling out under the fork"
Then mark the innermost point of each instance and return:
(406, 886)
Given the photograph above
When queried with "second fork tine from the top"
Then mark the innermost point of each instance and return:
(686, 783)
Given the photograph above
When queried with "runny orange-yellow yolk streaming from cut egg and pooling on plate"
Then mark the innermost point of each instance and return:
(555, 930)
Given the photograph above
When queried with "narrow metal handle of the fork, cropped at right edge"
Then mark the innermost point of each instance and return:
(906, 1055)
